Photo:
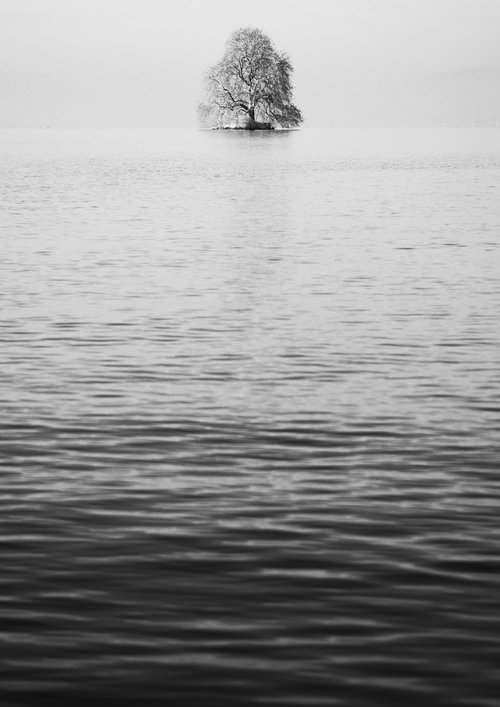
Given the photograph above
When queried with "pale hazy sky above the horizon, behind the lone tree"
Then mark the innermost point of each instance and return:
(134, 63)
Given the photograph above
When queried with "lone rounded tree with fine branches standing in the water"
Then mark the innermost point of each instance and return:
(250, 86)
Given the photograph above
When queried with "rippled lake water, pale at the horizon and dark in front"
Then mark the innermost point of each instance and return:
(250, 420)
